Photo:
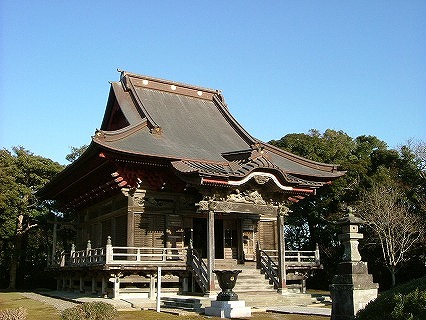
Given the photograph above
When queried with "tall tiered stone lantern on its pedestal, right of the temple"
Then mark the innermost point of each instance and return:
(352, 287)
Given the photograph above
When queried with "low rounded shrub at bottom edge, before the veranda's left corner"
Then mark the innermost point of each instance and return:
(90, 311)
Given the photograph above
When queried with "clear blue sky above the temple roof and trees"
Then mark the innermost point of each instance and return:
(283, 66)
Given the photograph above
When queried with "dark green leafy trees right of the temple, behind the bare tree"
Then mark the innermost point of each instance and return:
(367, 162)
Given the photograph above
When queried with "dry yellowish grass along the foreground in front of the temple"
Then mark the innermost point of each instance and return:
(40, 311)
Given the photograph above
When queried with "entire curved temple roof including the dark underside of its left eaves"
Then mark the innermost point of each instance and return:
(152, 122)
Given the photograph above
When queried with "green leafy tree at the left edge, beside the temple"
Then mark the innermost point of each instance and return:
(22, 174)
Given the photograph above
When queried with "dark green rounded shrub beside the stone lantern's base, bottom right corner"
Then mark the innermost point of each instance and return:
(405, 302)
